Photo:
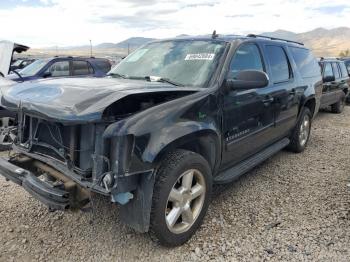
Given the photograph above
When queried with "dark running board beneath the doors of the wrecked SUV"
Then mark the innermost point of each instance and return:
(235, 172)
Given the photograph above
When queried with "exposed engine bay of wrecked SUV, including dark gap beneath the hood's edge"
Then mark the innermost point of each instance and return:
(76, 158)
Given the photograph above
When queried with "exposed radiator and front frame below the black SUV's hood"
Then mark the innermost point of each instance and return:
(72, 158)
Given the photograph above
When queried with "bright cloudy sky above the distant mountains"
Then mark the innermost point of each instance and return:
(47, 23)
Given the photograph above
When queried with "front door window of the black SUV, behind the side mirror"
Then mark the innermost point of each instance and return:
(247, 57)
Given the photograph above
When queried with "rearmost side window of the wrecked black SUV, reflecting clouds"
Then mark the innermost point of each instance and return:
(305, 62)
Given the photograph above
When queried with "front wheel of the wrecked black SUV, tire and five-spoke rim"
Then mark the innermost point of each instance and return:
(168, 217)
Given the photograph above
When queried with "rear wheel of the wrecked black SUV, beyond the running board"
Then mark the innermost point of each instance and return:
(301, 133)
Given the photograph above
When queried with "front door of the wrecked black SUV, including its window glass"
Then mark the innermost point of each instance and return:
(248, 116)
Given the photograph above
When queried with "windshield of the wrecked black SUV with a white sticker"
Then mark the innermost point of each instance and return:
(187, 63)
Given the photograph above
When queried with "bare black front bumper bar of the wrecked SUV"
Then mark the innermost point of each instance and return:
(53, 197)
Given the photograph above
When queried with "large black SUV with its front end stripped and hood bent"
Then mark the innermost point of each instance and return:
(172, 118)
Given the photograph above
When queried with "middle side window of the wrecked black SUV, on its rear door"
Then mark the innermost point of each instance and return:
(278, 60)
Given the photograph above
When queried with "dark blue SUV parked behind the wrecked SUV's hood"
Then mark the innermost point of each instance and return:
(63, 67)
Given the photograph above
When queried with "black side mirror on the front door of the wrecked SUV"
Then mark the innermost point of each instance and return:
(248, 79)
